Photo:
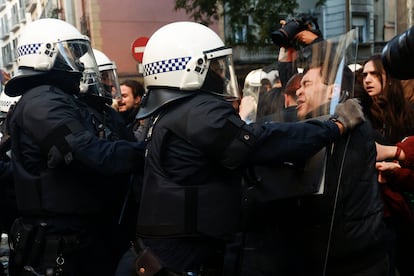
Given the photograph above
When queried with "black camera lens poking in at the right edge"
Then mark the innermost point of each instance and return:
(398, 54)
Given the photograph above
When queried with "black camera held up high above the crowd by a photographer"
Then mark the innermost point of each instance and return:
(285, 36)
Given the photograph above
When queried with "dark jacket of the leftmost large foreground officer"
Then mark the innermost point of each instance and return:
(54, 140)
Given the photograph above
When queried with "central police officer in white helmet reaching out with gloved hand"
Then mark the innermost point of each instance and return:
(198, 146)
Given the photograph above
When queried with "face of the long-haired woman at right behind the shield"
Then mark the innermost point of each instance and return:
(372, 79)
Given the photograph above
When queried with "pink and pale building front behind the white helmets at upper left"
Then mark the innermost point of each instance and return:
(111, 25)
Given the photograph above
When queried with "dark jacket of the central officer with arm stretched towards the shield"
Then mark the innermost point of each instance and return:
(198, 149)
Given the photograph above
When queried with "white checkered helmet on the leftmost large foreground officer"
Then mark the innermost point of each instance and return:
(51, 44)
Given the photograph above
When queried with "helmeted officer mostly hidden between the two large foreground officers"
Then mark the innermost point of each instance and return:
(112, 125)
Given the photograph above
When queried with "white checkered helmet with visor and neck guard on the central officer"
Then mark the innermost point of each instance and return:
(180, 57)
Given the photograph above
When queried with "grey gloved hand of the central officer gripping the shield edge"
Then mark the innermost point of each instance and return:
(349, 113)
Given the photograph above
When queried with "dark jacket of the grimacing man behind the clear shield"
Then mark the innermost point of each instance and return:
(351, 204)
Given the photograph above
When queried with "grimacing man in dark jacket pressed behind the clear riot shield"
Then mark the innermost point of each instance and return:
(341, 232)
